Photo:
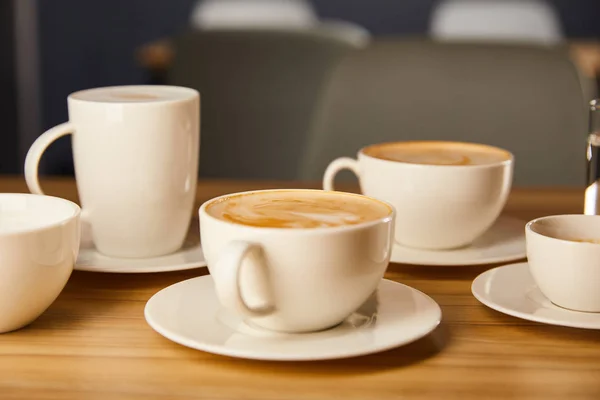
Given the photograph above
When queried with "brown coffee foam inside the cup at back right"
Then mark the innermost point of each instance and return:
(438, 153)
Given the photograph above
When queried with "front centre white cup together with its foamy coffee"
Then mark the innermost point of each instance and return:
(295, 260)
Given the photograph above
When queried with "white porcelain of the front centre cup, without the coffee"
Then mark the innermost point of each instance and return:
(295, 279)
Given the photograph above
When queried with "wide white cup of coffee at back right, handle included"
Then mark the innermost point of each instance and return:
(446, 194)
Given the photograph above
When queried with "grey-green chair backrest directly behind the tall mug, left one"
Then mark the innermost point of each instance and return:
(258, 92)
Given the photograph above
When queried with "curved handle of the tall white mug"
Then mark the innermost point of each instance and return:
(34, 155)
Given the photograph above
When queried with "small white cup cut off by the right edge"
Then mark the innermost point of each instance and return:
(563, 253)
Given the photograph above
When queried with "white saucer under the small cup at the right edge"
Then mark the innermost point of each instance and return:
(511, 290)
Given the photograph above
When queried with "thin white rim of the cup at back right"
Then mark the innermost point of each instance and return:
(508, 161)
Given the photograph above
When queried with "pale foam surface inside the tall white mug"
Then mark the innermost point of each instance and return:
(134, 94)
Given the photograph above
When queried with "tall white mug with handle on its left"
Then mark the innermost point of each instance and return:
(135, 150)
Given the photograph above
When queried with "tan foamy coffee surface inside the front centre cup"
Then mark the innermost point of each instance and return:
(298, 209)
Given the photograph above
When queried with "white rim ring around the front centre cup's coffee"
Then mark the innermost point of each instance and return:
(298, 231)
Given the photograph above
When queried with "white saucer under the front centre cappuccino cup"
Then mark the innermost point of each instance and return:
(189, 313)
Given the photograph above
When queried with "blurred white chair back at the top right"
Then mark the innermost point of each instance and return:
(532, 21)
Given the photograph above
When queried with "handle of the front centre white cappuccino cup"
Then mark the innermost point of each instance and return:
(229, 285)
